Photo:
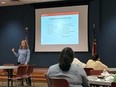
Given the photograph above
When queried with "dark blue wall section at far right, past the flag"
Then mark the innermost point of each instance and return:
(107, 32)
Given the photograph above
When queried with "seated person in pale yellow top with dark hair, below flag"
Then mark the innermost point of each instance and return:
(95, 63)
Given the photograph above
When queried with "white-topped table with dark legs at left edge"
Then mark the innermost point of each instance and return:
(9, 69)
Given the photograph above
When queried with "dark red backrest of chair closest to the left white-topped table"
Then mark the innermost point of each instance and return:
(21, 70)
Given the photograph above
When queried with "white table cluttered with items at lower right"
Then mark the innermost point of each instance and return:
(94, 80)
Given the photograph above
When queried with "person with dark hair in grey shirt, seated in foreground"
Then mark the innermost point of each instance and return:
(73, 73)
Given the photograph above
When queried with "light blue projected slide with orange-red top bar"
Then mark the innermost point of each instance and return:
(60, 28)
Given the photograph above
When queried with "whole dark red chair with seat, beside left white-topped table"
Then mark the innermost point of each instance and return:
(20, 74)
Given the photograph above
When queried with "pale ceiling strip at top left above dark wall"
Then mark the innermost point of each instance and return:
(21, 2)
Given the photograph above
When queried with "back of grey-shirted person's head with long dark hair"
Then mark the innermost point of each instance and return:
(66, 58)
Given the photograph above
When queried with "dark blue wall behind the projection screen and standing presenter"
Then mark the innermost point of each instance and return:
(14, 20)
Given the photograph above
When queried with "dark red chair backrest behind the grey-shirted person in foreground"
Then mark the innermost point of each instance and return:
(56, 82)
